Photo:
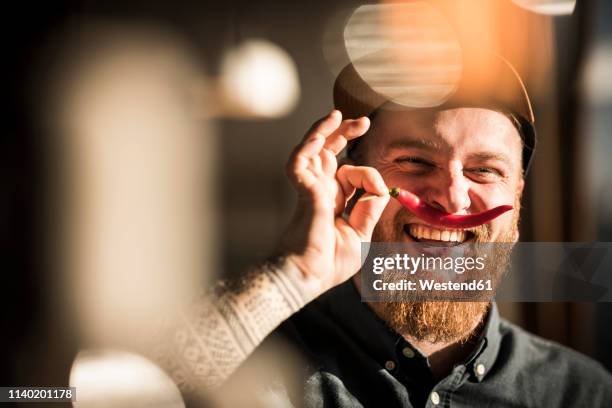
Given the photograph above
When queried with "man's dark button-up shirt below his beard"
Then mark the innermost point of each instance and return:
(354, 359)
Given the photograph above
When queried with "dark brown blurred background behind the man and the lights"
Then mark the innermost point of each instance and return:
(558, 206)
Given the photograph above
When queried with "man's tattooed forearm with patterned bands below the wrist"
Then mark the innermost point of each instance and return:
(213, 336)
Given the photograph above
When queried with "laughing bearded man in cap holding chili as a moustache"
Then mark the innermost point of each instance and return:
(464, 157)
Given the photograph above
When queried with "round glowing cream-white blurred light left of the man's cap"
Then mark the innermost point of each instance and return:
(258, 79)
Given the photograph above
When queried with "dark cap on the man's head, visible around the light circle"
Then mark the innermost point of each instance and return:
(501, 89)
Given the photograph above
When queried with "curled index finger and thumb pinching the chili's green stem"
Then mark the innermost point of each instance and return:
(369, 207)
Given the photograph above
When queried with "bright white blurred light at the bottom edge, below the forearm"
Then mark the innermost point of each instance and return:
(118, 379)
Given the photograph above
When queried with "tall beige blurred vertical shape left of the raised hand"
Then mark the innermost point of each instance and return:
(136, 180)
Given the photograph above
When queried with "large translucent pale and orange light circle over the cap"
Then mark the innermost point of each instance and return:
(406, 52)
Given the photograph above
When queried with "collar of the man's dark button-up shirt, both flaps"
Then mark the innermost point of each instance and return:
(381, 342)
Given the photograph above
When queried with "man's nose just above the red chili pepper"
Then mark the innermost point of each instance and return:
(452, 192)
